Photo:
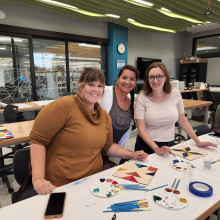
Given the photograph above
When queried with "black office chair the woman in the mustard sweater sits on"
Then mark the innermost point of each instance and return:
(22, 167)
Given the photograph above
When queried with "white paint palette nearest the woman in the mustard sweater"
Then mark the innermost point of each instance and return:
(104, 187)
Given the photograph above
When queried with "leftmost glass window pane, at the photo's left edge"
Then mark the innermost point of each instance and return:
(15, 80)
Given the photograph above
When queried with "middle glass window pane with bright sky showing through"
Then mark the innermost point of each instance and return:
(50, 68)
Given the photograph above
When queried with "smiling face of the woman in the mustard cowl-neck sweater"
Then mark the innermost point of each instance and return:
(91, 93)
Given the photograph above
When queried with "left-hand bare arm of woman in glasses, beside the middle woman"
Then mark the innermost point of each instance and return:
(141, 126)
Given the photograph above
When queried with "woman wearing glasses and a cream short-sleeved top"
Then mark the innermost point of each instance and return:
(158, 108)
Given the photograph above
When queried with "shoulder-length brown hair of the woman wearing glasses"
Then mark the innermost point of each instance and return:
(167, 86)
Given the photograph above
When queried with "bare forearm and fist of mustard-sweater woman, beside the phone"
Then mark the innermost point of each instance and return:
(38, 156)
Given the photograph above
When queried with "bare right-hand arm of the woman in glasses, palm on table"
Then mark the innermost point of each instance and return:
(185, 125)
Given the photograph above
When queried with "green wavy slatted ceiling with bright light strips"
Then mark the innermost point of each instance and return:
(141, 17)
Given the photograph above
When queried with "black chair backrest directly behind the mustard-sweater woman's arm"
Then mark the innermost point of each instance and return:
(21, 164)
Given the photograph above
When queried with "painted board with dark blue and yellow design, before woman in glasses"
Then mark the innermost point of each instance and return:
(188, 153)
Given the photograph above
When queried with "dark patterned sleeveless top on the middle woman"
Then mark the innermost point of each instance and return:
(121, 120)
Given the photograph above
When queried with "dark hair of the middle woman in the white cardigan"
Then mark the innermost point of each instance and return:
(135, 70)
